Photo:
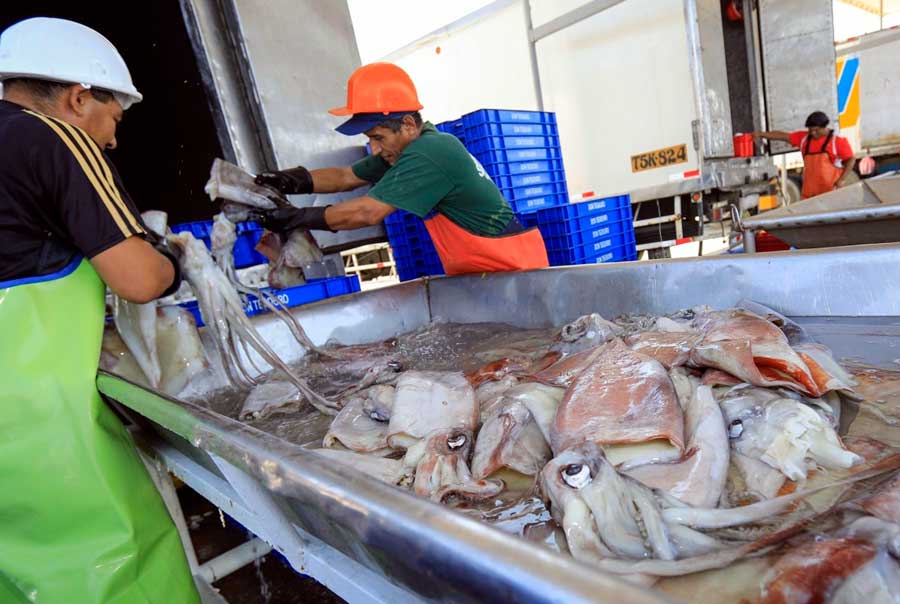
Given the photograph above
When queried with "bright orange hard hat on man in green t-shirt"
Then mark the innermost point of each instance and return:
(379, 88)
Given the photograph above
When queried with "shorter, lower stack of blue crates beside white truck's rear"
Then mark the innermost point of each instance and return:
(591, 231)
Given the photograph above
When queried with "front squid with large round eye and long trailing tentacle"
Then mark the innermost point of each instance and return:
(619, 525)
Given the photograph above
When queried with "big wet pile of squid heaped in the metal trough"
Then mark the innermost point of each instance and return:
(661, 446)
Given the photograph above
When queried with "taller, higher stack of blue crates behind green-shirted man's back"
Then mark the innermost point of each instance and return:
(520, 152)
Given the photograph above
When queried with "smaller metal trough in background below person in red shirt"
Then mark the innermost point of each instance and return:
(865, 212)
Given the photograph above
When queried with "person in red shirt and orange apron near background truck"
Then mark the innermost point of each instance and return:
(827, 159)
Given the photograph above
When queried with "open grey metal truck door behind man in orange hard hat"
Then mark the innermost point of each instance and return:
(272, 70)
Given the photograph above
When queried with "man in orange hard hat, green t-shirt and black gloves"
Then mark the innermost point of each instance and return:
(413, 167)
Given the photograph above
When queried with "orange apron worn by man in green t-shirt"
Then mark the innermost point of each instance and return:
(464, 252)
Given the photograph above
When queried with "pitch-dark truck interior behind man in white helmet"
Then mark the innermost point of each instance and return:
(168, 141)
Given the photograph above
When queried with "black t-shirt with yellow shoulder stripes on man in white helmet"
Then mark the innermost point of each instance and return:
(60, 196)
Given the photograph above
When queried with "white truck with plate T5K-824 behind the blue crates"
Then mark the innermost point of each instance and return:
(648, 96)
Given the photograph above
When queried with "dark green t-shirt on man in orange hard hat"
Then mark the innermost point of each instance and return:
(435, 172)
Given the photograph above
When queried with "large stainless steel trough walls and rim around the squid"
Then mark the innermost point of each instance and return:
(370, 542)
